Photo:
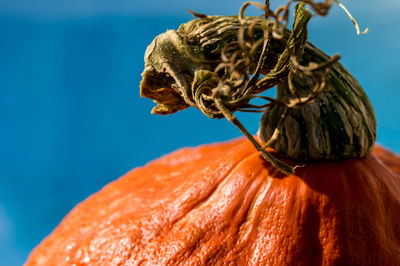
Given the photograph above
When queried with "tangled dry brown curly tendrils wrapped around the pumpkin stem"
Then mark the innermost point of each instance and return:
(235, 80)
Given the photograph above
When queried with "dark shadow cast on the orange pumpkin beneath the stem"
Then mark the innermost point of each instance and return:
(362, 194)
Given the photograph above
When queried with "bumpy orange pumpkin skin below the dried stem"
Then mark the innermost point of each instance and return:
(222, 204)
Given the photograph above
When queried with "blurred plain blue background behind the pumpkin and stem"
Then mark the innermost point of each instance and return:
(70, 112)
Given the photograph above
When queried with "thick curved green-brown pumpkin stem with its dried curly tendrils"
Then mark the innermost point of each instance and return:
(221, 63)
